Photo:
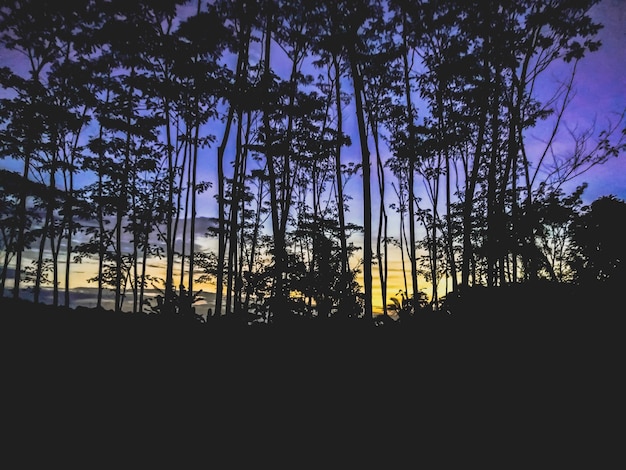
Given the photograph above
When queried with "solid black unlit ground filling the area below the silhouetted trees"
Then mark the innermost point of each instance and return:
(524, 379)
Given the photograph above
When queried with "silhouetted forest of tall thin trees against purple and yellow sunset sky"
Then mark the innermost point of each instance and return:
(121, 122)
